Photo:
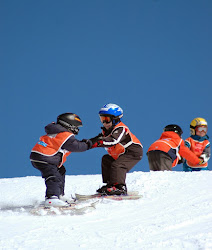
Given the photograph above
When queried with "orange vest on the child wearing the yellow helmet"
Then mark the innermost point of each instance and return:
(197, 147)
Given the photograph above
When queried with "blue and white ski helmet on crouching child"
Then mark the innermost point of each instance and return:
(112, 110)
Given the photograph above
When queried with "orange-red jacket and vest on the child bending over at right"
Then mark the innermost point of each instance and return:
(172, 144)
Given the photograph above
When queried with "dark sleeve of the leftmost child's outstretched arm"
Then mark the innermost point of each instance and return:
(74, 145)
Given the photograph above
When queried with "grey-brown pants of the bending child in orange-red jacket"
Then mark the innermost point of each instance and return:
(159, 161)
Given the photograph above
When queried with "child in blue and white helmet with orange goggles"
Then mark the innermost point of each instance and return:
(124, 150)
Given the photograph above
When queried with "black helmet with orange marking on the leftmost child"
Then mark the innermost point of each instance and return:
(70, 121)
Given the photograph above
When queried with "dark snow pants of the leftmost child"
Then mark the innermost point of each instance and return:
(54, 178)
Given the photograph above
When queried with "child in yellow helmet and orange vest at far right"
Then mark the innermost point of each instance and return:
(199, 144)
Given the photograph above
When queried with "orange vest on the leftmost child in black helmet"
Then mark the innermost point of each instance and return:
(50, 145)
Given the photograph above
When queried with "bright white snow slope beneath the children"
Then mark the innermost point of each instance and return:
(175, 213)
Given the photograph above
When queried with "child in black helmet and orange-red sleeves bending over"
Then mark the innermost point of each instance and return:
(166, 153)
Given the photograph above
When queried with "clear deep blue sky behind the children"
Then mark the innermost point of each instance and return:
(151, 57)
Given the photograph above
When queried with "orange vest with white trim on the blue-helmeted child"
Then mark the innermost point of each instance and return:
(119, 149)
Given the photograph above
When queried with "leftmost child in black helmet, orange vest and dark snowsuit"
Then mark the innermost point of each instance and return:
(49, 154)
